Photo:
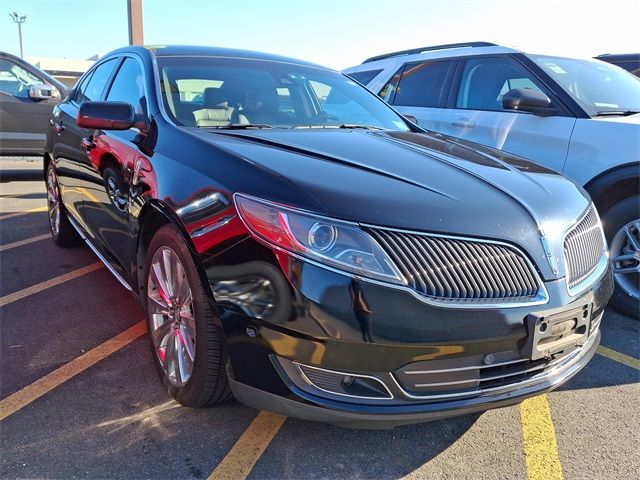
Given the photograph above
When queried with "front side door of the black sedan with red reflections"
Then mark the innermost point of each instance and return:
(112, 156)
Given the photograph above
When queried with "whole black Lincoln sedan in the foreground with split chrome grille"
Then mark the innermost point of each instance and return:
(298, 244)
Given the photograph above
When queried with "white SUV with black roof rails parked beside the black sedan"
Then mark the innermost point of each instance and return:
(578, 117)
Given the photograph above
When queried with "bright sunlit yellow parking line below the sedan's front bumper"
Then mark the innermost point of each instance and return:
(540, 447)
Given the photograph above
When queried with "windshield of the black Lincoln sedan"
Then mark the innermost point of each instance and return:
(215, 92)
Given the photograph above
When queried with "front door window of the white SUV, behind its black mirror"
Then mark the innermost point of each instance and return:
(486, 80)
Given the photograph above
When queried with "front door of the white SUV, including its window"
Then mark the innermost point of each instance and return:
(475, 112)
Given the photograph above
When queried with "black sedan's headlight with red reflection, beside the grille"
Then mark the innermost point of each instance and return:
(335, 243)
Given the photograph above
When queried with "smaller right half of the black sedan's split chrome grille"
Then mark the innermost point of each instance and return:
(583, 248)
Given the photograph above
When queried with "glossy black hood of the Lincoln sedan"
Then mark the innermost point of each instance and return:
(418, 181)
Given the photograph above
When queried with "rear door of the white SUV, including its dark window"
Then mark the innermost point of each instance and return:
(420, 89)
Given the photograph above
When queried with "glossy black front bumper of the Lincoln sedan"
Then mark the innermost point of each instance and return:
(318, 329)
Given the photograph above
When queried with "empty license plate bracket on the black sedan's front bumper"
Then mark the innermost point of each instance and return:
(552, 334)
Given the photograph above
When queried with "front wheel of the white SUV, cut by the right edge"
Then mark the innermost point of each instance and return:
(625, 213)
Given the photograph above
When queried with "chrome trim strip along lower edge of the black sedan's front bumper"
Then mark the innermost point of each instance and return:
(564, 364)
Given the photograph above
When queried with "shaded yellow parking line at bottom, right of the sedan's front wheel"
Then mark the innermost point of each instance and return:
(241, 459)
